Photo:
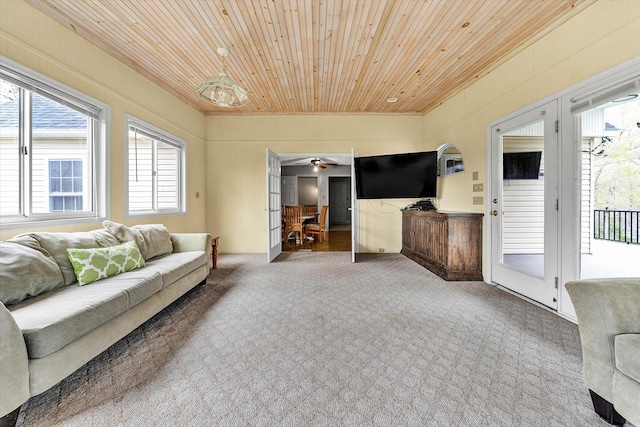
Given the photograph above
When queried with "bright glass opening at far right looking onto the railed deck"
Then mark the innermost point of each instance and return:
(609, 220)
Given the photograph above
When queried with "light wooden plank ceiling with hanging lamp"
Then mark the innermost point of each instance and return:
(314, 56)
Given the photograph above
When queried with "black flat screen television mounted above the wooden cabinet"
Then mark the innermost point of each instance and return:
(397, 176)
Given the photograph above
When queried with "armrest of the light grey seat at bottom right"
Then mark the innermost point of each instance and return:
(605, 308)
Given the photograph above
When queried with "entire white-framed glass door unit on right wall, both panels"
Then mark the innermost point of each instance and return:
(563, 225)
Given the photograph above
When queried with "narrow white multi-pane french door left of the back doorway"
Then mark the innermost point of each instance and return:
(273, 205)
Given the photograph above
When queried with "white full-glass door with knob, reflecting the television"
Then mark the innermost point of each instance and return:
(523, 204)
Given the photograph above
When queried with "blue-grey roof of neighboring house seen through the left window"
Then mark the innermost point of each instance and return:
(47, 114)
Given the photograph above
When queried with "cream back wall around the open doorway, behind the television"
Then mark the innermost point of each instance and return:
(236, 169)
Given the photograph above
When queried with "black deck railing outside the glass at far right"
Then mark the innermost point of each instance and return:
(616, 226)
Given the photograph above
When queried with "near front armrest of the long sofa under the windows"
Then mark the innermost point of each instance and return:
(14, 364)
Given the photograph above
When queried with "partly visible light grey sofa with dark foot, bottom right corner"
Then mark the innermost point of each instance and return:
(608, 312)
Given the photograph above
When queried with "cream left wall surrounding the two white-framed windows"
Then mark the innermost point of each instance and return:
(34, 40)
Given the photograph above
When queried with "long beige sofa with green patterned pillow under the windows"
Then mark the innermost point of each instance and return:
(67, 297)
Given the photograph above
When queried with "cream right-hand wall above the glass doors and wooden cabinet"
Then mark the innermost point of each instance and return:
(603, 35)
